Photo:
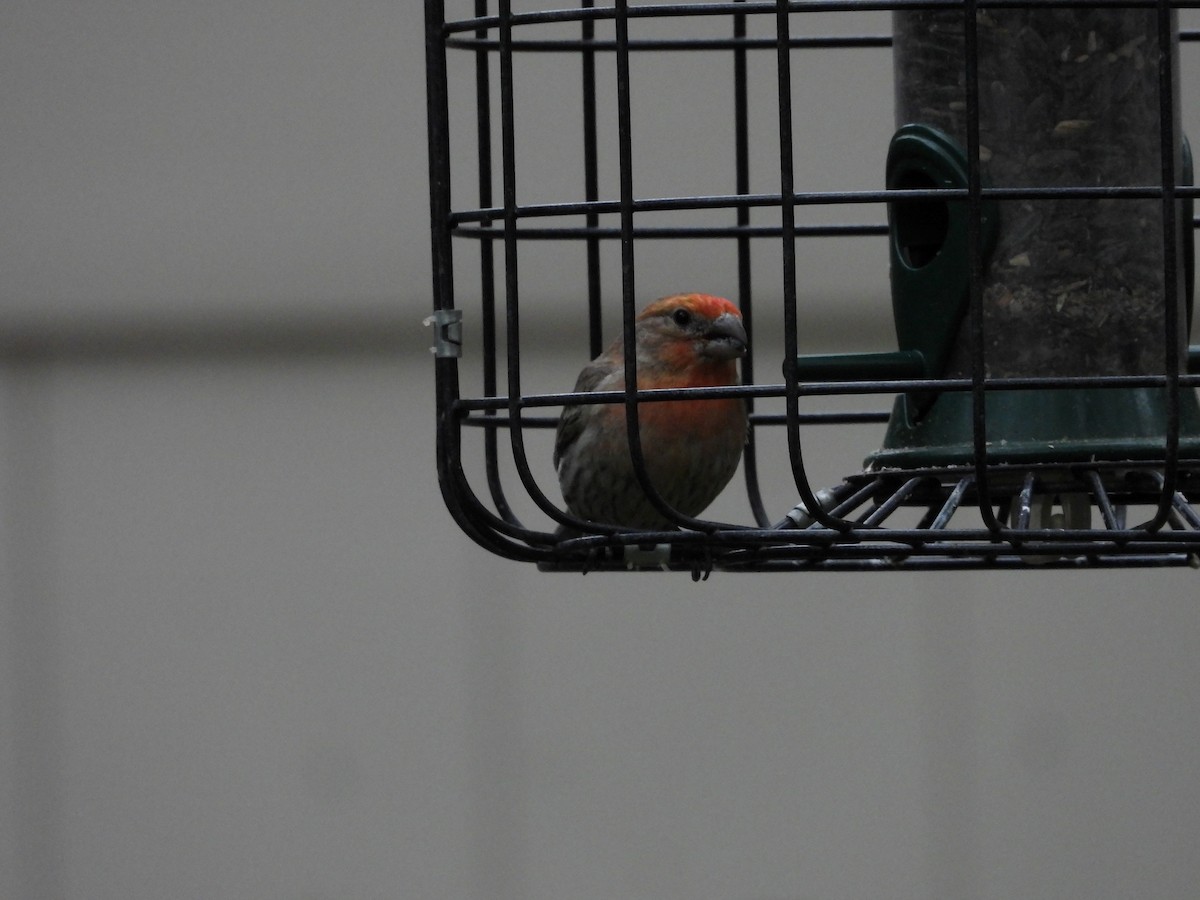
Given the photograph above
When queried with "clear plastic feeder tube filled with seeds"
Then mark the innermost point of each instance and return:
(1069, 98)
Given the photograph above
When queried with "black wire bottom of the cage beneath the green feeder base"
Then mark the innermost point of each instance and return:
(1091, 515)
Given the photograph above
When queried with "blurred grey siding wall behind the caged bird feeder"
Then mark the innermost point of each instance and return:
(244, 651)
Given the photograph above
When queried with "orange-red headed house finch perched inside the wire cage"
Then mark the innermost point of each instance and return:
(691, 447)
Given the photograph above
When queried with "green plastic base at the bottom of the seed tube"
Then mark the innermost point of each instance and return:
(1040, 427)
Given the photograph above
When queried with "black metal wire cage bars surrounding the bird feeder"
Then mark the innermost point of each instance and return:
(848, 526)
